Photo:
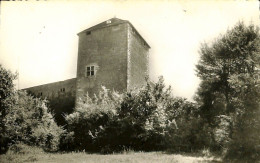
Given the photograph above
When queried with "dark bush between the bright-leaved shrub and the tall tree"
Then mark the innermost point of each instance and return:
(183, 128)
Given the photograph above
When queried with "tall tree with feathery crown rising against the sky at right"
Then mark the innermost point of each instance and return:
(236, 52)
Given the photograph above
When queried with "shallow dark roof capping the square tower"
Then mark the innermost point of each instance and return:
(112, 22)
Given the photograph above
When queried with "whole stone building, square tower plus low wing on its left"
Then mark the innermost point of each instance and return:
(111, 54)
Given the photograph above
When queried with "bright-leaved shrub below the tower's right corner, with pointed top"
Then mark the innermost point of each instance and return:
(142, 117)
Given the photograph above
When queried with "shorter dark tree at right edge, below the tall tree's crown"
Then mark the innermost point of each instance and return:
(245, 139)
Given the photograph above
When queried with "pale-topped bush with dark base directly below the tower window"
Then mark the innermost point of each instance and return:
(91, 125)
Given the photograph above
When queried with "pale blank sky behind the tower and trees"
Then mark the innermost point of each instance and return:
(39, 39)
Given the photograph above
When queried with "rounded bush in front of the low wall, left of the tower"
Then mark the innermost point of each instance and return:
(29, 121)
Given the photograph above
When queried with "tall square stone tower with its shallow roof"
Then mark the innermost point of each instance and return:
(111, 54)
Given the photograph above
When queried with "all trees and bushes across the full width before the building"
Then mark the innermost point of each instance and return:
(224, 119)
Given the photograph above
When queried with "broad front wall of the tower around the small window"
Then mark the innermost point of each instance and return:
(106, 49)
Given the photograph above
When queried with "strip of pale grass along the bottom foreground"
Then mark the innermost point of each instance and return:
(40, 156)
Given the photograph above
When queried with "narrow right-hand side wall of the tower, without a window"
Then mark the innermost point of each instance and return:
(138, 61)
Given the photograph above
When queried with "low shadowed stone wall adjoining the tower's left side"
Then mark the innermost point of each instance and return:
(61, 97)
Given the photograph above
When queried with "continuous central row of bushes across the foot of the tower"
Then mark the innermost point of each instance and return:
(142, 119)
